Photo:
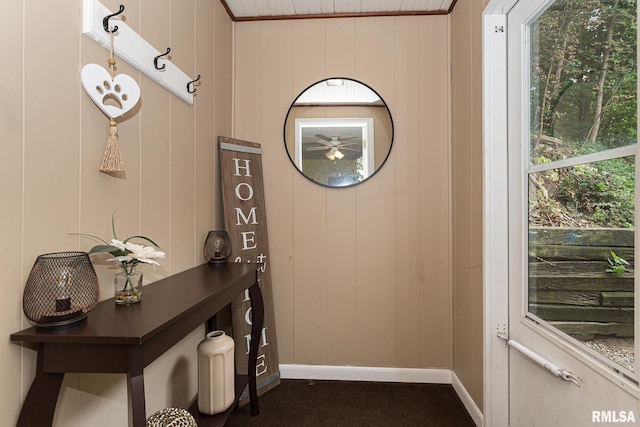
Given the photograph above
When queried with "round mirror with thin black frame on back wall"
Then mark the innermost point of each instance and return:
(338, 132)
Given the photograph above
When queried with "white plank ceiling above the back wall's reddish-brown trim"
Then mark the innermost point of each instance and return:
(241, 10)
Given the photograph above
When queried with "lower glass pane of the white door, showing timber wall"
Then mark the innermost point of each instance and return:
(581, 252)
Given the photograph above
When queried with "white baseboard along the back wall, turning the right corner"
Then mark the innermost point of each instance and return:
(401, 375)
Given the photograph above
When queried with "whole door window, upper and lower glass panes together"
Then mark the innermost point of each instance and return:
(581, 218)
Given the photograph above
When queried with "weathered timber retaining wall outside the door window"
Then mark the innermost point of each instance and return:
(568, 283)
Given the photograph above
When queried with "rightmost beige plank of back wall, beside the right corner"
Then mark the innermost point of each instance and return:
(435, 192)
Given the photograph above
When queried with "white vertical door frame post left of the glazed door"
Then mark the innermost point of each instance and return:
(496, 213)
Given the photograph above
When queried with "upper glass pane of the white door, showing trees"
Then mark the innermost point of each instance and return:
(583, 78)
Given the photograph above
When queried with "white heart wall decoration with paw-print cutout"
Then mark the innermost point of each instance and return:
(114, 97)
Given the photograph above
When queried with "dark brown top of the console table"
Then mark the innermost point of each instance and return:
(164, 303)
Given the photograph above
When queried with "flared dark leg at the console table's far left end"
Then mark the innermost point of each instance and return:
(39, 406)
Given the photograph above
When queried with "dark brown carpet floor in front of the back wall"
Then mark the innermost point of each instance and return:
(347, 403)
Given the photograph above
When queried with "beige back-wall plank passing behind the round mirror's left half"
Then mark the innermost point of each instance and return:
(309, 219)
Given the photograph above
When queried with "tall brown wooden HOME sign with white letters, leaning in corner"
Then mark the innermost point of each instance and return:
(246, 222)
